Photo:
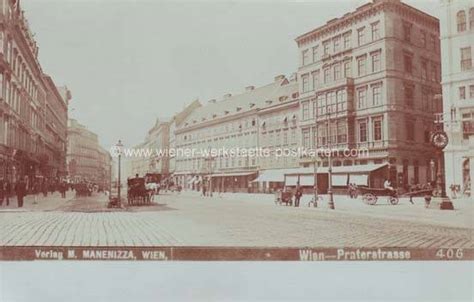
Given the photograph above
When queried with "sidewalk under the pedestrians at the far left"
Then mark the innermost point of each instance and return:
(49, 203)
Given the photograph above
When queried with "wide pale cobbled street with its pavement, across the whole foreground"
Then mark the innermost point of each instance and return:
(188, 219)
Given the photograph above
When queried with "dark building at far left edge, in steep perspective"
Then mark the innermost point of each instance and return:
(33, 114)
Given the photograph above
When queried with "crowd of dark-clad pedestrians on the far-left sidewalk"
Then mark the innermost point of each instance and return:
(22, 188)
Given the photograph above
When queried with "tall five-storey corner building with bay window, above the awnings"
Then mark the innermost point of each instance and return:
(369, 82)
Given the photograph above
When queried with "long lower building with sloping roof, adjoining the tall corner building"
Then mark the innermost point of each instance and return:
(216, 139)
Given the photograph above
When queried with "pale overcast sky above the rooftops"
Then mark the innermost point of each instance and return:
(129, 62)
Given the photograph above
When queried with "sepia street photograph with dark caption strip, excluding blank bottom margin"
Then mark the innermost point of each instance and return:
(231, 131)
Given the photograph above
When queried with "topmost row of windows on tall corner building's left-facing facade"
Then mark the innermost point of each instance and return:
(340, 43)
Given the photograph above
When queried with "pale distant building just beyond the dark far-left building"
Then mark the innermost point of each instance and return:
(86, 159)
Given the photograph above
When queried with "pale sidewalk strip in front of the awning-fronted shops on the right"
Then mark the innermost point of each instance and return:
(462, 216)
